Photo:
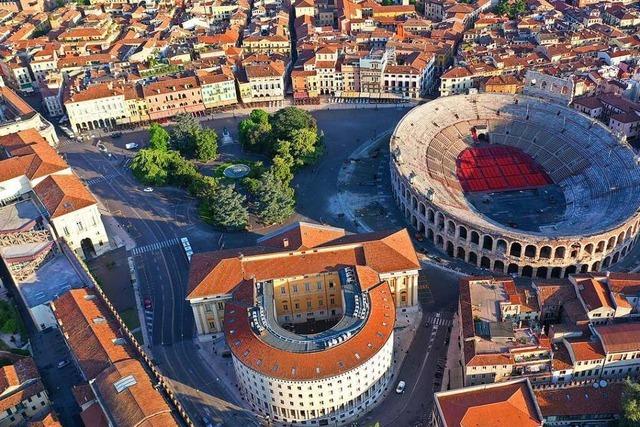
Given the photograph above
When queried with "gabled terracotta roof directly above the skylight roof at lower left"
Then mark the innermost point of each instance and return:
(89, 332)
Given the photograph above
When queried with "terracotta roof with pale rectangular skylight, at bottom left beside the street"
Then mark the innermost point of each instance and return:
(139, 404)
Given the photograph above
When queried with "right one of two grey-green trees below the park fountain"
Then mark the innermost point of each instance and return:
(276, 199)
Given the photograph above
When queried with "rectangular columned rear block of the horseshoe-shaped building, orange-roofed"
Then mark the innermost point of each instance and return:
(303, 261)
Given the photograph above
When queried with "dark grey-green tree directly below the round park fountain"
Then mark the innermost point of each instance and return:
(225, 207)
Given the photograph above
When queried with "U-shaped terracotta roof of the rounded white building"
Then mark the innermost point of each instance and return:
(259, 356)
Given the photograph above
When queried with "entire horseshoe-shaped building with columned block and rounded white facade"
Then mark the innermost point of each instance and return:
(308, 314)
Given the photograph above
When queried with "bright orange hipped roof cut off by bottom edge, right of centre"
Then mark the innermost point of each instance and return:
(507, 404)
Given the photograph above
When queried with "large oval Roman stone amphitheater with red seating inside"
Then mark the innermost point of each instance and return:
(516, 185)
